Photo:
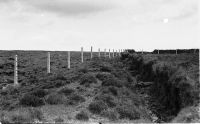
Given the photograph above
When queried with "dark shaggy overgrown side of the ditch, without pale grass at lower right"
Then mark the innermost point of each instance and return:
(172, 87)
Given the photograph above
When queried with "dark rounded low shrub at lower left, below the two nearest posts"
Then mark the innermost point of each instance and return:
(31, 100)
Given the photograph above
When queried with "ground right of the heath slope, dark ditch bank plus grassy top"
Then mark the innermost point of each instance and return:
(174, 83)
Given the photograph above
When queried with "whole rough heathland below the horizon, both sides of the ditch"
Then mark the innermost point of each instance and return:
(137, 89)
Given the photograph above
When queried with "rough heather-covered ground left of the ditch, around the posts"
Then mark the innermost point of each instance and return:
(98, 90)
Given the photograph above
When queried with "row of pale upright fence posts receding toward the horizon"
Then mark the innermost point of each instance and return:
(68, 60)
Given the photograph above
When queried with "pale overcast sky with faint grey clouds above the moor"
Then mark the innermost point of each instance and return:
(115, 24)
